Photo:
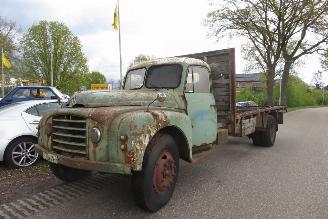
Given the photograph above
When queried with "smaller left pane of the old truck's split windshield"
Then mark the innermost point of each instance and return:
(134, 79)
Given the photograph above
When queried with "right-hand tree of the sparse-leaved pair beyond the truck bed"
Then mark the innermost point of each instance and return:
(305, 32)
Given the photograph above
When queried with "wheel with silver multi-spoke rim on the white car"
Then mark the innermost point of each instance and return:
(21, 153)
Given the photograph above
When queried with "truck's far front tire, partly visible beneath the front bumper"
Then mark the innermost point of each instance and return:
(68, 174)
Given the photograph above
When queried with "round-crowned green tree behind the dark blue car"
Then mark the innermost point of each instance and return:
(48, 42)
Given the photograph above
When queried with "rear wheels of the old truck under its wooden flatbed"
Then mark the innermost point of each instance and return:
(267, 137)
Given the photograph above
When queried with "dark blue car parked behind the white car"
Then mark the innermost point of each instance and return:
(26, 93)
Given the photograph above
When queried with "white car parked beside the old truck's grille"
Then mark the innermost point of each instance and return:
(18, 125)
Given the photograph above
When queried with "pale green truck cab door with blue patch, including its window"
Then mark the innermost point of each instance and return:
(201, 106)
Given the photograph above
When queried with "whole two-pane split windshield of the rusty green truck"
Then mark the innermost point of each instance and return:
(159, 76)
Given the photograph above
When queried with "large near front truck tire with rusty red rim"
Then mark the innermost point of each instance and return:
(152, 187)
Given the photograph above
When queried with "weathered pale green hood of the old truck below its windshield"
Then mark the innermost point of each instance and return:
(91, 99)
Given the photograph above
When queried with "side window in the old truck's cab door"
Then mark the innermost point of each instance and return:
(198, 80)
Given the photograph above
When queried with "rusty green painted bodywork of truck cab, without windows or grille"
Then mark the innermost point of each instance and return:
(127, 124)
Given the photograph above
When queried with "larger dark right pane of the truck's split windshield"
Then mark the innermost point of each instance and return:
(164, 76)
